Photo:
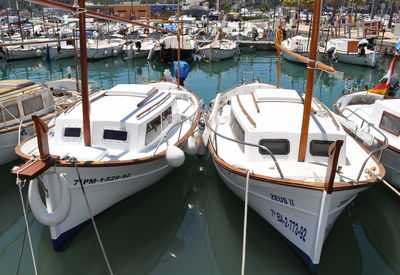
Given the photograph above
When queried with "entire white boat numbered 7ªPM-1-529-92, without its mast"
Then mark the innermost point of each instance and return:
(135, 134)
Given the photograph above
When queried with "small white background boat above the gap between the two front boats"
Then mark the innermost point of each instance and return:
(218, 50)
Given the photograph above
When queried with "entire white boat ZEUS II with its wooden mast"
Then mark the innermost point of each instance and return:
(287, 155)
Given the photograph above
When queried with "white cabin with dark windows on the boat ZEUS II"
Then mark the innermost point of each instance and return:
(252, 119)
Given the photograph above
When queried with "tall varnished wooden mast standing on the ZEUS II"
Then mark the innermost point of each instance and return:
(310, 81)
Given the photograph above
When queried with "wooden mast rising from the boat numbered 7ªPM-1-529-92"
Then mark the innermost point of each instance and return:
(84, 74)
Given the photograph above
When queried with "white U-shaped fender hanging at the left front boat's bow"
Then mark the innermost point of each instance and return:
(39, 210)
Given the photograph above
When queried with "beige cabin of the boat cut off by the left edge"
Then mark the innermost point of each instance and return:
(20, 99)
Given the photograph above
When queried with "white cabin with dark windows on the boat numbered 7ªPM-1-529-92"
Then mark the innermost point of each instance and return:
(127, 118)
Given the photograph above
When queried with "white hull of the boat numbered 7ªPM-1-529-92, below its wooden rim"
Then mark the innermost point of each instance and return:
(104, 186)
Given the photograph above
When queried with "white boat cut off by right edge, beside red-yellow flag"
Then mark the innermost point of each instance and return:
(374, 119)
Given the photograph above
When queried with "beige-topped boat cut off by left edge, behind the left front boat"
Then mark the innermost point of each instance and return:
(19, 100)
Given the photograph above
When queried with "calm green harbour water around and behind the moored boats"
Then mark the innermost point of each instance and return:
(190, 223)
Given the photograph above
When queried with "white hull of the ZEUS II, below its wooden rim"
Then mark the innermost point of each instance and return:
(294, 212)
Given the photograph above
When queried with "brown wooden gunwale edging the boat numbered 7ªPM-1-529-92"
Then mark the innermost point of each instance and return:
(63, 163)
